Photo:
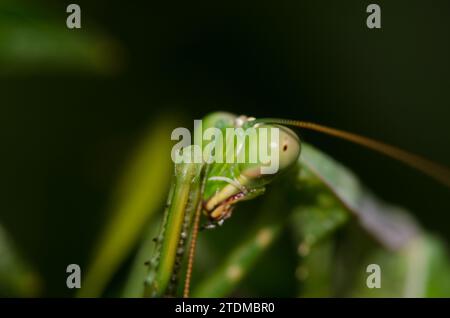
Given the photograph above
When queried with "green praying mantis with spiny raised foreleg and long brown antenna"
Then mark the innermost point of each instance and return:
(214, 188)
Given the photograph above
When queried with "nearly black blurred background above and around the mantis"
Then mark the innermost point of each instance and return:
(66, 135)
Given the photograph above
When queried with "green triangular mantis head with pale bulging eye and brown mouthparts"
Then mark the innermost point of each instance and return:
(254, 153)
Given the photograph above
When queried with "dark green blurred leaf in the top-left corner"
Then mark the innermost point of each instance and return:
(33, 40)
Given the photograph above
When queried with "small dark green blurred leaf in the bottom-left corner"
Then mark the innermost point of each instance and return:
(17, 279)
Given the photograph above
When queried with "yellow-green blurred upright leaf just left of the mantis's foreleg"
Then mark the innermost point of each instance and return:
(140, 195)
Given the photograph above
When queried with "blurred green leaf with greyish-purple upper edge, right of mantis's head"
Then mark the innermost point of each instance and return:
(329, 192)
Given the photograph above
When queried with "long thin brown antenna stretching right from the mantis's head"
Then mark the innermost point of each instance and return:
(428, 167)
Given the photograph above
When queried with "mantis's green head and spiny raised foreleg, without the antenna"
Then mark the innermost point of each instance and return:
(214, 188)
